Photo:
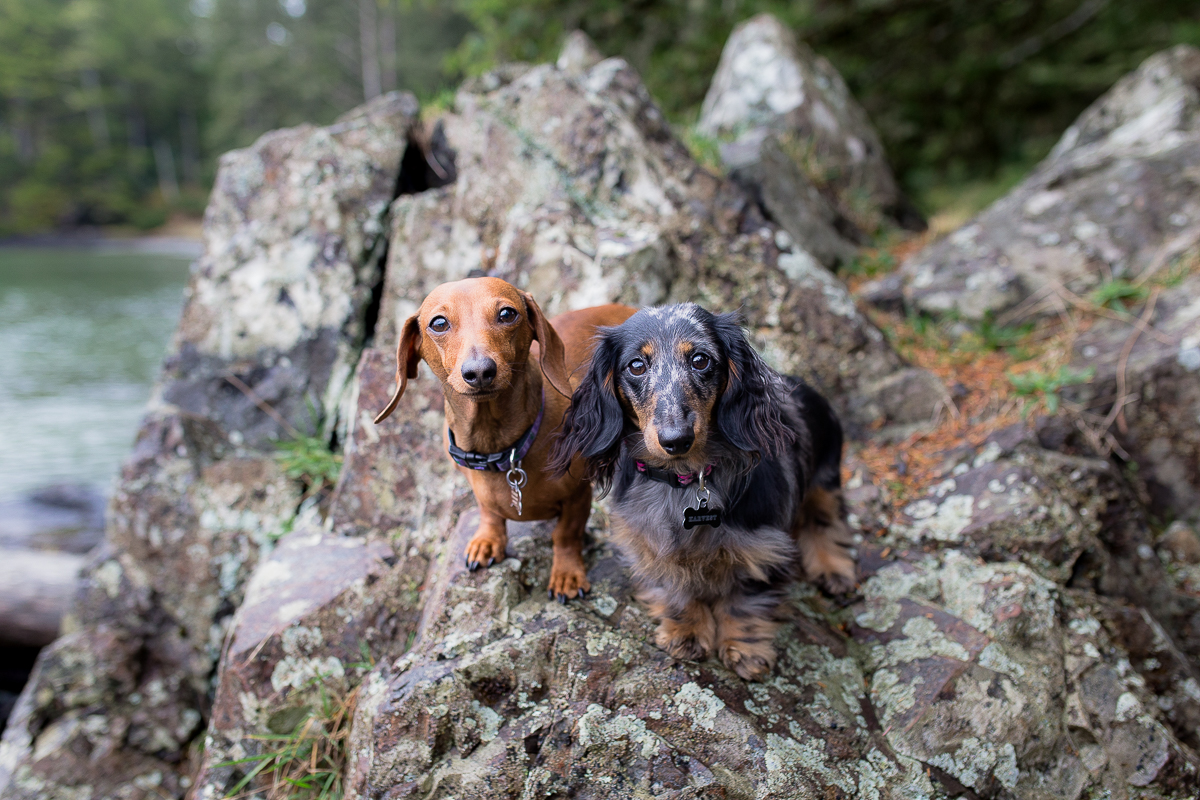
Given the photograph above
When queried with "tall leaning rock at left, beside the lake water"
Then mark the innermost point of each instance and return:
(278, 303)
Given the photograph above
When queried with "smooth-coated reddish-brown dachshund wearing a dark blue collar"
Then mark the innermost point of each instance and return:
(479, 338)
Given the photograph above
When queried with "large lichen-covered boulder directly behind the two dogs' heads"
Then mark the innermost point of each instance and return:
(574, 188)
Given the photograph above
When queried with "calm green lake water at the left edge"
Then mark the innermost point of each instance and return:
(82, 336)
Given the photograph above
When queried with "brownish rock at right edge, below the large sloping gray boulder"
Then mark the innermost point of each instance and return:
(1160, 426)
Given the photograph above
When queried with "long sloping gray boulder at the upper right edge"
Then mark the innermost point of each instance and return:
(1118, 196)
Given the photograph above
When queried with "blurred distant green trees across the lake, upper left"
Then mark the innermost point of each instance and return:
(115, 111)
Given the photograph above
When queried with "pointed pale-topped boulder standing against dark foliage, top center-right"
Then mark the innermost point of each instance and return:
(770, 86)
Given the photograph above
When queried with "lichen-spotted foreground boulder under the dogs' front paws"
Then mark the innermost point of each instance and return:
(509, 695)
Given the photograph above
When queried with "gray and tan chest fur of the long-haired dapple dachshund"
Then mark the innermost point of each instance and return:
(754, 542)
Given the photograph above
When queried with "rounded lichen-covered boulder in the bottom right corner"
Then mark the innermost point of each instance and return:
(1001, 684)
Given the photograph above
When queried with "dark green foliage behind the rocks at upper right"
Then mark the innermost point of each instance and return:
(956, 89)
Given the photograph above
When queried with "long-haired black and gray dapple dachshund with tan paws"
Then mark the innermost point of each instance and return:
(725, 477)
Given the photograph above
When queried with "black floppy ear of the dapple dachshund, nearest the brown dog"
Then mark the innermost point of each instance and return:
(593, 424)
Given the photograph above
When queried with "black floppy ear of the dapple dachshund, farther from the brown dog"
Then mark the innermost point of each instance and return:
(747, 414)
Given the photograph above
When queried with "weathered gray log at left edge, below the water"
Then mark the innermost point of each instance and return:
(35, 590)
